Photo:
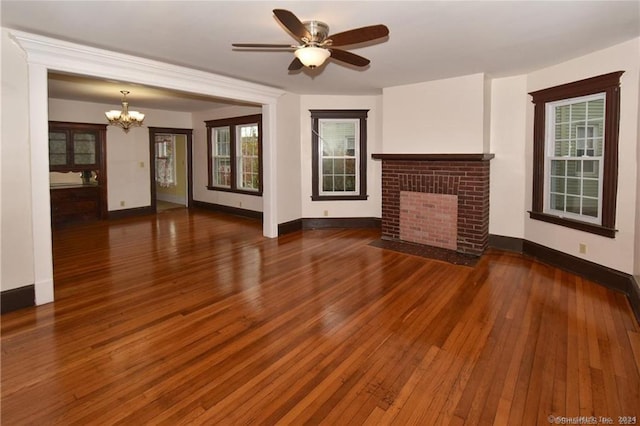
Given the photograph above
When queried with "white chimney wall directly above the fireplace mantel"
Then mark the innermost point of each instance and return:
(443, 116)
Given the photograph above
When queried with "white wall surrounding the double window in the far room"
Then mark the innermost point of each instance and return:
(200, 165)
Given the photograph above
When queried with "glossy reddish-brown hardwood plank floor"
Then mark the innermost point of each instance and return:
(194, 317)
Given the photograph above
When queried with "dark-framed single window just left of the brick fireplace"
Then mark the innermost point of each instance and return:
(339, 163)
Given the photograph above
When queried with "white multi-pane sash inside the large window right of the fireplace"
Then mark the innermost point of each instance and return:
(574, 164)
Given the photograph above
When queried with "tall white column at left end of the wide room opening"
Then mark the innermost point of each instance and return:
(40, 196)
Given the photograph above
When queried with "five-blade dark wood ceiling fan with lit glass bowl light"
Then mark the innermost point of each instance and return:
(316, 43)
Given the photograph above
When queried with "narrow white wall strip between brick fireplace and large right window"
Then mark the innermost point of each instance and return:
(508, 127)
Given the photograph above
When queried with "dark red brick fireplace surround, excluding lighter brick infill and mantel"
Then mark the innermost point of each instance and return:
(468, 180)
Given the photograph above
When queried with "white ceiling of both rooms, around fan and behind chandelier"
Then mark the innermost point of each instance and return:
(428, 40)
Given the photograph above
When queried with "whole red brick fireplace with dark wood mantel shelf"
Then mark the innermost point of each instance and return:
(422, 194)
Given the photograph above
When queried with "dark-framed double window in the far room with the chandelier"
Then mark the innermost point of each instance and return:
(235, 154)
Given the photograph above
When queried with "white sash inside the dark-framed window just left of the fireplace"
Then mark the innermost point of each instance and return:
(338, 158)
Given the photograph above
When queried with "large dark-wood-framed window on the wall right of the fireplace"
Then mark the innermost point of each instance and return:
(576, 154)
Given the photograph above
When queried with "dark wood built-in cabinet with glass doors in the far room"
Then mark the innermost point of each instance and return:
(78, 148)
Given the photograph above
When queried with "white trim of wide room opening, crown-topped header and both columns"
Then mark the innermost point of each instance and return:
(44, 54)
